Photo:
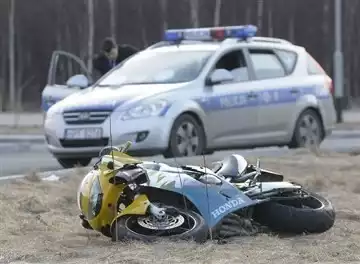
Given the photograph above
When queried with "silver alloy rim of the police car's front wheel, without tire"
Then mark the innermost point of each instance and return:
(187, 139)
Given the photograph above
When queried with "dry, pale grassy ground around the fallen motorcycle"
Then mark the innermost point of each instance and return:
(39, 223)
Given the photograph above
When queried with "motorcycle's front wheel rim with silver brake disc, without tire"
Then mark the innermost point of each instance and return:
(170, 226)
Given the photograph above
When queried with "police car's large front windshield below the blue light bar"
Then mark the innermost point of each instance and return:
(158, 67)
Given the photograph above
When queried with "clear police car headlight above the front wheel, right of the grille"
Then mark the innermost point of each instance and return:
(146, 110)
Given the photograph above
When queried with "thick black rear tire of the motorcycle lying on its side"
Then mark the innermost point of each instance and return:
(312, 215)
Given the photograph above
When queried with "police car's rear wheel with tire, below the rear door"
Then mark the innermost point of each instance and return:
(308, 130)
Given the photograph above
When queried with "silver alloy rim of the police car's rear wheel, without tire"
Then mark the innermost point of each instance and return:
(309, 131)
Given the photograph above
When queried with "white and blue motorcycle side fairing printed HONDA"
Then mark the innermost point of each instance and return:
(212, 196)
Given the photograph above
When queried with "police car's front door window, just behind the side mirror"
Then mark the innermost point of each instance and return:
(235, 63)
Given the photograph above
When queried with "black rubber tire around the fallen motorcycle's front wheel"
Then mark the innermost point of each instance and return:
(128, 228)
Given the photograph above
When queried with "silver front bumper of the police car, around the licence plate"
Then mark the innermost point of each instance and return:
(149, 136)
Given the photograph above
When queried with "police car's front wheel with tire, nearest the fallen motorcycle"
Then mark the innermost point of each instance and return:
(187, 138)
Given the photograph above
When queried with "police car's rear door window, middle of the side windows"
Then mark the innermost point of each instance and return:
(266, 64)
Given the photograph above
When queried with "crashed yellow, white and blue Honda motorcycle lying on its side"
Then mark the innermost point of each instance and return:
(126, 198)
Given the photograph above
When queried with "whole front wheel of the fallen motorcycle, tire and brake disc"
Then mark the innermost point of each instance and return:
(184, 225)
